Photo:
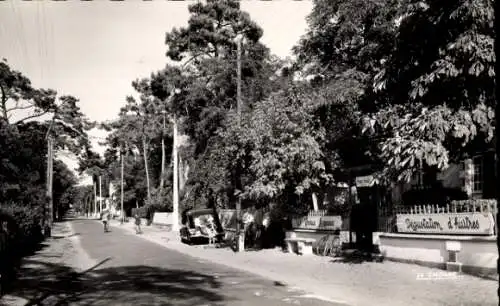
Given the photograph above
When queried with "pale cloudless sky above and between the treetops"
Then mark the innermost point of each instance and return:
(93, 50)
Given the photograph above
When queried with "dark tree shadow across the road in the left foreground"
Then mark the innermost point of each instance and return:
(54, 284)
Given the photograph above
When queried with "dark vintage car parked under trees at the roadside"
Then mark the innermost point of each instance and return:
(201, 226)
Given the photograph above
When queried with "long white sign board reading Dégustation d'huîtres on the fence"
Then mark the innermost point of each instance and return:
(472, 223)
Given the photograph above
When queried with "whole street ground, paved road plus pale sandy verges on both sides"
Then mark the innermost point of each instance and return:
(121, 268)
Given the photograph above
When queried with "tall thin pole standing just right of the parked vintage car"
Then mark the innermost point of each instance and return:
(241, 235)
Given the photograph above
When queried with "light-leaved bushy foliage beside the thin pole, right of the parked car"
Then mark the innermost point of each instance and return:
(275, 150)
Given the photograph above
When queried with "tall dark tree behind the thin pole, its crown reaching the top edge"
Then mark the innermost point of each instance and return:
(207, 49)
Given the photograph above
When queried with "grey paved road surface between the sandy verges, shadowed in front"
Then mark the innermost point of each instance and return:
(134, 271)
